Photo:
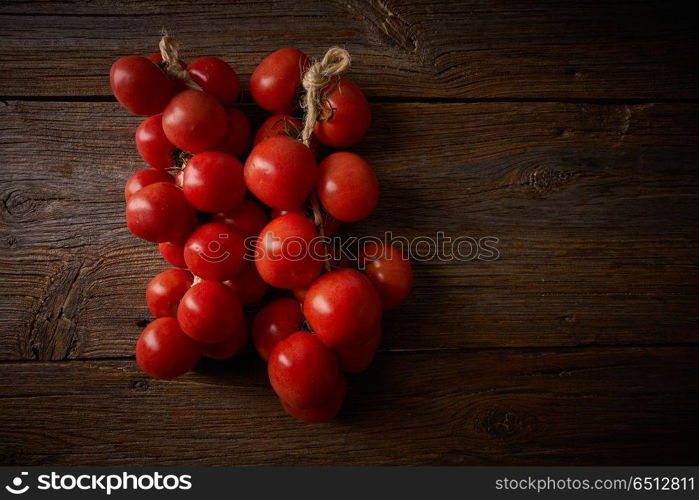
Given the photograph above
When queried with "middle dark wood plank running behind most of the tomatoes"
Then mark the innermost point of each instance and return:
(595, 208)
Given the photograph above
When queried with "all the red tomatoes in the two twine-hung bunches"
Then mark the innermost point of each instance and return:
(210, 214)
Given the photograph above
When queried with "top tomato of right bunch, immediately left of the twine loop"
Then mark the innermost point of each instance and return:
(275, 82)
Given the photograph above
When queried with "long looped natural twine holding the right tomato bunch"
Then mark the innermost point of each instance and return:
(335, 62)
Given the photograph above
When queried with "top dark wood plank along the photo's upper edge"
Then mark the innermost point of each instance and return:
(467, 49)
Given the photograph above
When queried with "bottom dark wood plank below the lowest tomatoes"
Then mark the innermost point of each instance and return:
(591, 406)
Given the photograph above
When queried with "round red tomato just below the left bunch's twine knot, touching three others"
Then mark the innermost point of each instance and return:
(194, 121)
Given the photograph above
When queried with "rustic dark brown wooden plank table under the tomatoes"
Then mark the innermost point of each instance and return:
(568, 130)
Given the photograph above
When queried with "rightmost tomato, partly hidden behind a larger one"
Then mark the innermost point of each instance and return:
(390, 272)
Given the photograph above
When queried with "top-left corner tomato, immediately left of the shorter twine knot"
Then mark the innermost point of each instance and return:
(140, 86)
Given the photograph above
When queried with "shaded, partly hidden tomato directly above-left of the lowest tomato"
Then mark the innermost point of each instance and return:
(275, 322)
